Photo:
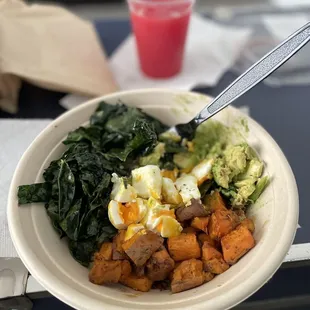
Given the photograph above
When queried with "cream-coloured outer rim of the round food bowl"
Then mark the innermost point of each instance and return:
(32, 263)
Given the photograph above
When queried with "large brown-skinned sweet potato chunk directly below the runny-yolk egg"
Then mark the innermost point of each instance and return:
(142, 245)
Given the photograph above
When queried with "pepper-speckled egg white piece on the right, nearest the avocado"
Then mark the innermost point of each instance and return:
(187, 186)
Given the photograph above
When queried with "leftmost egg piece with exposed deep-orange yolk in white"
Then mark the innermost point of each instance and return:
(122, 215)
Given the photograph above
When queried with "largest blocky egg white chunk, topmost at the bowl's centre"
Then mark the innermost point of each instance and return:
(147, 181)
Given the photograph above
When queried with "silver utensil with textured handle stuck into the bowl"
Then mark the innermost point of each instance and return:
(255, 74)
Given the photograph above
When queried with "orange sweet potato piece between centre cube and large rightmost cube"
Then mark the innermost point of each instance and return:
(213, 260)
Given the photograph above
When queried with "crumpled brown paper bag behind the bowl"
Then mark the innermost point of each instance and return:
(51, 48)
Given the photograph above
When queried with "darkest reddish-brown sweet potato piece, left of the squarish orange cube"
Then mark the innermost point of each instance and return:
(159, 265)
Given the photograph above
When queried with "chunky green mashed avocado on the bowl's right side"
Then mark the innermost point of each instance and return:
(236, 169)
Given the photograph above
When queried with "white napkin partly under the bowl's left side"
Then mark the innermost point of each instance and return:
(15, 137)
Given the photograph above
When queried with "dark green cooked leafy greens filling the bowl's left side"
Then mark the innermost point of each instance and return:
(77, 186)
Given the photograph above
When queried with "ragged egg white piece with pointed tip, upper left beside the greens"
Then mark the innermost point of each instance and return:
(121, 192)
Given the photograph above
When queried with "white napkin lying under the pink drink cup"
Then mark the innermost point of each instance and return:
(211, 50)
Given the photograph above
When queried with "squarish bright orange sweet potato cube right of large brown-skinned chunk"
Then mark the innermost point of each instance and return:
(183, 247)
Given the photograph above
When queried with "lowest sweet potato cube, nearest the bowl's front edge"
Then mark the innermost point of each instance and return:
(187, 275)
